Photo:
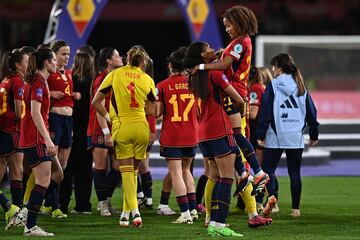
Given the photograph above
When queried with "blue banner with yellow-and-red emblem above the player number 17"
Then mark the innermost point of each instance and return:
(201, 19)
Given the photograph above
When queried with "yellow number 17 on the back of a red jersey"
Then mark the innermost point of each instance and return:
(174, 102)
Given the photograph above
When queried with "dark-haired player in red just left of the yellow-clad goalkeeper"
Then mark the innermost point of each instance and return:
(98, 131)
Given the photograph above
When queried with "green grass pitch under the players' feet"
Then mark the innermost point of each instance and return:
(329, 208)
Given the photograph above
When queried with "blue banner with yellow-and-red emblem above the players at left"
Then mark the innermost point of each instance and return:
(77, 20)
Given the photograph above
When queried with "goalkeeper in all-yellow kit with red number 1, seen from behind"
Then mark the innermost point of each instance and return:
(133, 90)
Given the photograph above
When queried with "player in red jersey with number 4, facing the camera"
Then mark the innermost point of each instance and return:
(60, 119)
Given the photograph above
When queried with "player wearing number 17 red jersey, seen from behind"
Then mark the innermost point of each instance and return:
(178, 137)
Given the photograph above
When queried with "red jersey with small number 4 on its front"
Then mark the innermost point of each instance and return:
(58, 83)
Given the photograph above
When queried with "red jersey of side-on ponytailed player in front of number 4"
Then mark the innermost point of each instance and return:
(39, 91)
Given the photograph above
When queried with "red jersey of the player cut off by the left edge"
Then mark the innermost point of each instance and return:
(11, 88)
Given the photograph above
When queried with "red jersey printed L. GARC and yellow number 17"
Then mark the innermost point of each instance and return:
(180, 125)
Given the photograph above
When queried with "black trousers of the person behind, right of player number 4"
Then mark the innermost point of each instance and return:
(78, 173)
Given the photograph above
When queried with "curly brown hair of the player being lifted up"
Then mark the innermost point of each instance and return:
(243, 19)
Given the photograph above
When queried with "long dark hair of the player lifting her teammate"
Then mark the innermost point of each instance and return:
(197, 81)
